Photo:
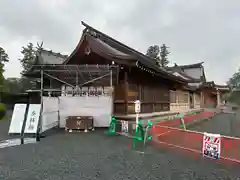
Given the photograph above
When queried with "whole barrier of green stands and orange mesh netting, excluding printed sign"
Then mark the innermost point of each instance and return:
(169, 133)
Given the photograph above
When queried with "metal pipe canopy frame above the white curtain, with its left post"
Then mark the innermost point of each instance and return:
(83, 80)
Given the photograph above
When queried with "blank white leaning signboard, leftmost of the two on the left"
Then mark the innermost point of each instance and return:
(17, 119)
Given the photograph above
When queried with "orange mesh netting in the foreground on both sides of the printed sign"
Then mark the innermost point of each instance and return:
(192, 141)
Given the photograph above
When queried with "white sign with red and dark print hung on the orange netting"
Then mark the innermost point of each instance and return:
(211, 145)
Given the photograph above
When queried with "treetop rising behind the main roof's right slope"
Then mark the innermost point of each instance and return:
(159, 54)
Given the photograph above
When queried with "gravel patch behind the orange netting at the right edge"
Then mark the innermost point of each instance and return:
(224, 124)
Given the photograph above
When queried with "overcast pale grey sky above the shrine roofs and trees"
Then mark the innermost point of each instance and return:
(195, 30)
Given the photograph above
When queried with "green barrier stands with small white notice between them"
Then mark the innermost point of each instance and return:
(140, 132)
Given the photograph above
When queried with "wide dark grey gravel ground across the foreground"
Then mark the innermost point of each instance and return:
(89, 156)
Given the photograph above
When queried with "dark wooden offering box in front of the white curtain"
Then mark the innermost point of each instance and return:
(79, 123)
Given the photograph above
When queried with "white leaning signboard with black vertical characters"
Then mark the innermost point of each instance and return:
(32, 118)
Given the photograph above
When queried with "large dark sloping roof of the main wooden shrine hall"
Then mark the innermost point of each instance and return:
(106, 45)
